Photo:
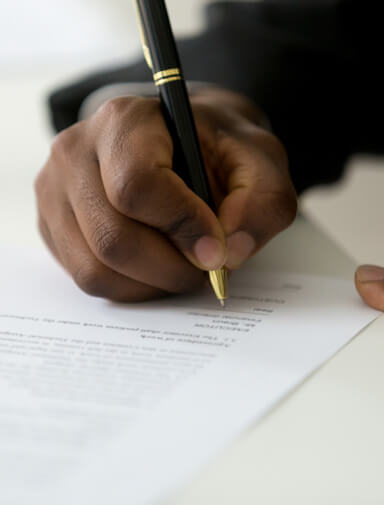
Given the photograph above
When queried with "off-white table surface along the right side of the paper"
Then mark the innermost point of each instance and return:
(324, 443)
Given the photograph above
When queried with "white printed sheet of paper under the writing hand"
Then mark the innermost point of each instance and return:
(107, 403)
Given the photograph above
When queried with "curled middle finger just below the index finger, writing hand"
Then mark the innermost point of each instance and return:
(127, 246)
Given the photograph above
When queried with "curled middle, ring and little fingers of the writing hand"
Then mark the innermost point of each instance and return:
(114, 257)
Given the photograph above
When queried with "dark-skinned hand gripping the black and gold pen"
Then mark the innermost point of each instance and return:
(127, 228)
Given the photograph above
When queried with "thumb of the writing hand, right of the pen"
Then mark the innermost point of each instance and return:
(261, 199)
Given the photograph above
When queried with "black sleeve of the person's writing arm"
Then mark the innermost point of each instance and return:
(311, 66)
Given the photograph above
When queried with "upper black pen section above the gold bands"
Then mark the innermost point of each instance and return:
(158, 34)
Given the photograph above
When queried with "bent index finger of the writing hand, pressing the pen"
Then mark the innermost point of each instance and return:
(137, 175)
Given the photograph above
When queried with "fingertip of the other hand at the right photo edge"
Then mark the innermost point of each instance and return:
(369, 280)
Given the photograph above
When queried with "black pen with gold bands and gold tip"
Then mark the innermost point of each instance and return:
(162, 57)
